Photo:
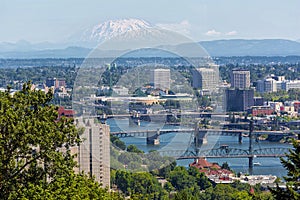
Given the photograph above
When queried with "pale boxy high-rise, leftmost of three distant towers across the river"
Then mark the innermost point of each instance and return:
(160, 78)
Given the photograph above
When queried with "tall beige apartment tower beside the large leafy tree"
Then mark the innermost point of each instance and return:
(94, 151)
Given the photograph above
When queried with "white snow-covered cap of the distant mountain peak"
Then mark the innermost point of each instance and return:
(128, 28)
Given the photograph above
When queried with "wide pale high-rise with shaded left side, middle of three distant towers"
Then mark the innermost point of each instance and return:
(205, 79)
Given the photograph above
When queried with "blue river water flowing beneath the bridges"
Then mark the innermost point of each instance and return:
(181, 141)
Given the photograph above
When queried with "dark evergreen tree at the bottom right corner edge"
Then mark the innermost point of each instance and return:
(292, 164)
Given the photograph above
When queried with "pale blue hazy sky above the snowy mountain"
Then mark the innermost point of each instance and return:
(57, 20)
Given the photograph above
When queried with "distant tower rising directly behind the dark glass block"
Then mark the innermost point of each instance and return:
(240, 78)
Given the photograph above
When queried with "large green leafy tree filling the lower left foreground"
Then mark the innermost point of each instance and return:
(35, 158)
